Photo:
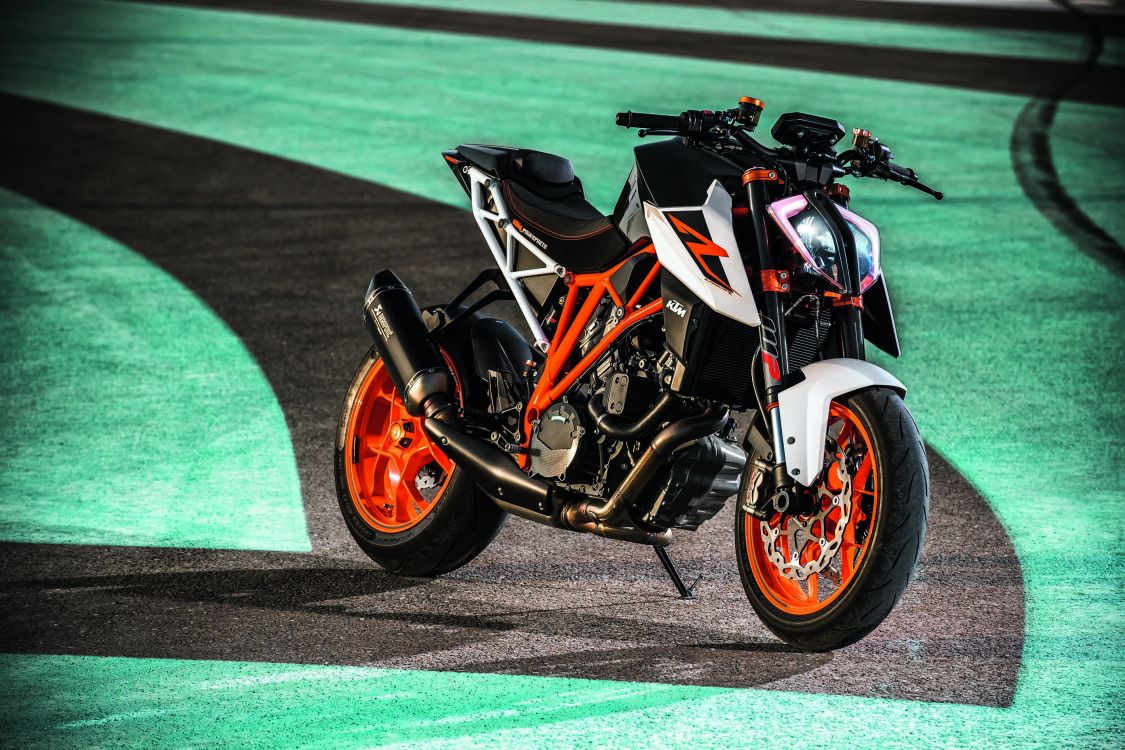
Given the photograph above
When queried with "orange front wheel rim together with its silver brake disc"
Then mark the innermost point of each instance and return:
(799, 594)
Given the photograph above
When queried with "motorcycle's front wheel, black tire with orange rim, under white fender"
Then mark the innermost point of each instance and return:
(868, 590)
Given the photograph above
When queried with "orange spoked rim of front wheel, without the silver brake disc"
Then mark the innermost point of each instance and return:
(822, 589)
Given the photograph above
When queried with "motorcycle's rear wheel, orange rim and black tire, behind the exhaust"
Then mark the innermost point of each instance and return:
(409, 508)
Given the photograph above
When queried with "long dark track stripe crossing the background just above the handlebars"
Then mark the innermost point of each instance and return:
(1023, 77)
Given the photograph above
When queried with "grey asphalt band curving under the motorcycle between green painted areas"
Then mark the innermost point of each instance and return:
(283, 251)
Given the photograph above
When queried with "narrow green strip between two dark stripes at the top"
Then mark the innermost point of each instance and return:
(1015, 43)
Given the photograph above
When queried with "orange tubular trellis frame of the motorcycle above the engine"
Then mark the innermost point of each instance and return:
(556, 379)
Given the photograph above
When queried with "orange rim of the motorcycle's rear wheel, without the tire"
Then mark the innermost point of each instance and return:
(395, 473)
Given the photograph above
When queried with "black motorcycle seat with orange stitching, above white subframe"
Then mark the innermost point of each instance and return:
(546, 203)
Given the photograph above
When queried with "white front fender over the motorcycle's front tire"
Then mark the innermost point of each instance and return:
(805, 410)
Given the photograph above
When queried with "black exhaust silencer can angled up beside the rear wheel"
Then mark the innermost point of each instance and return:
(413, 362)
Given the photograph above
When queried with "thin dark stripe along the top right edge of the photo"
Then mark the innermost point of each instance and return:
(916, 13)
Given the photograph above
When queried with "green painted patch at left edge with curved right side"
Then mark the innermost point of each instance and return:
(131, 414)
